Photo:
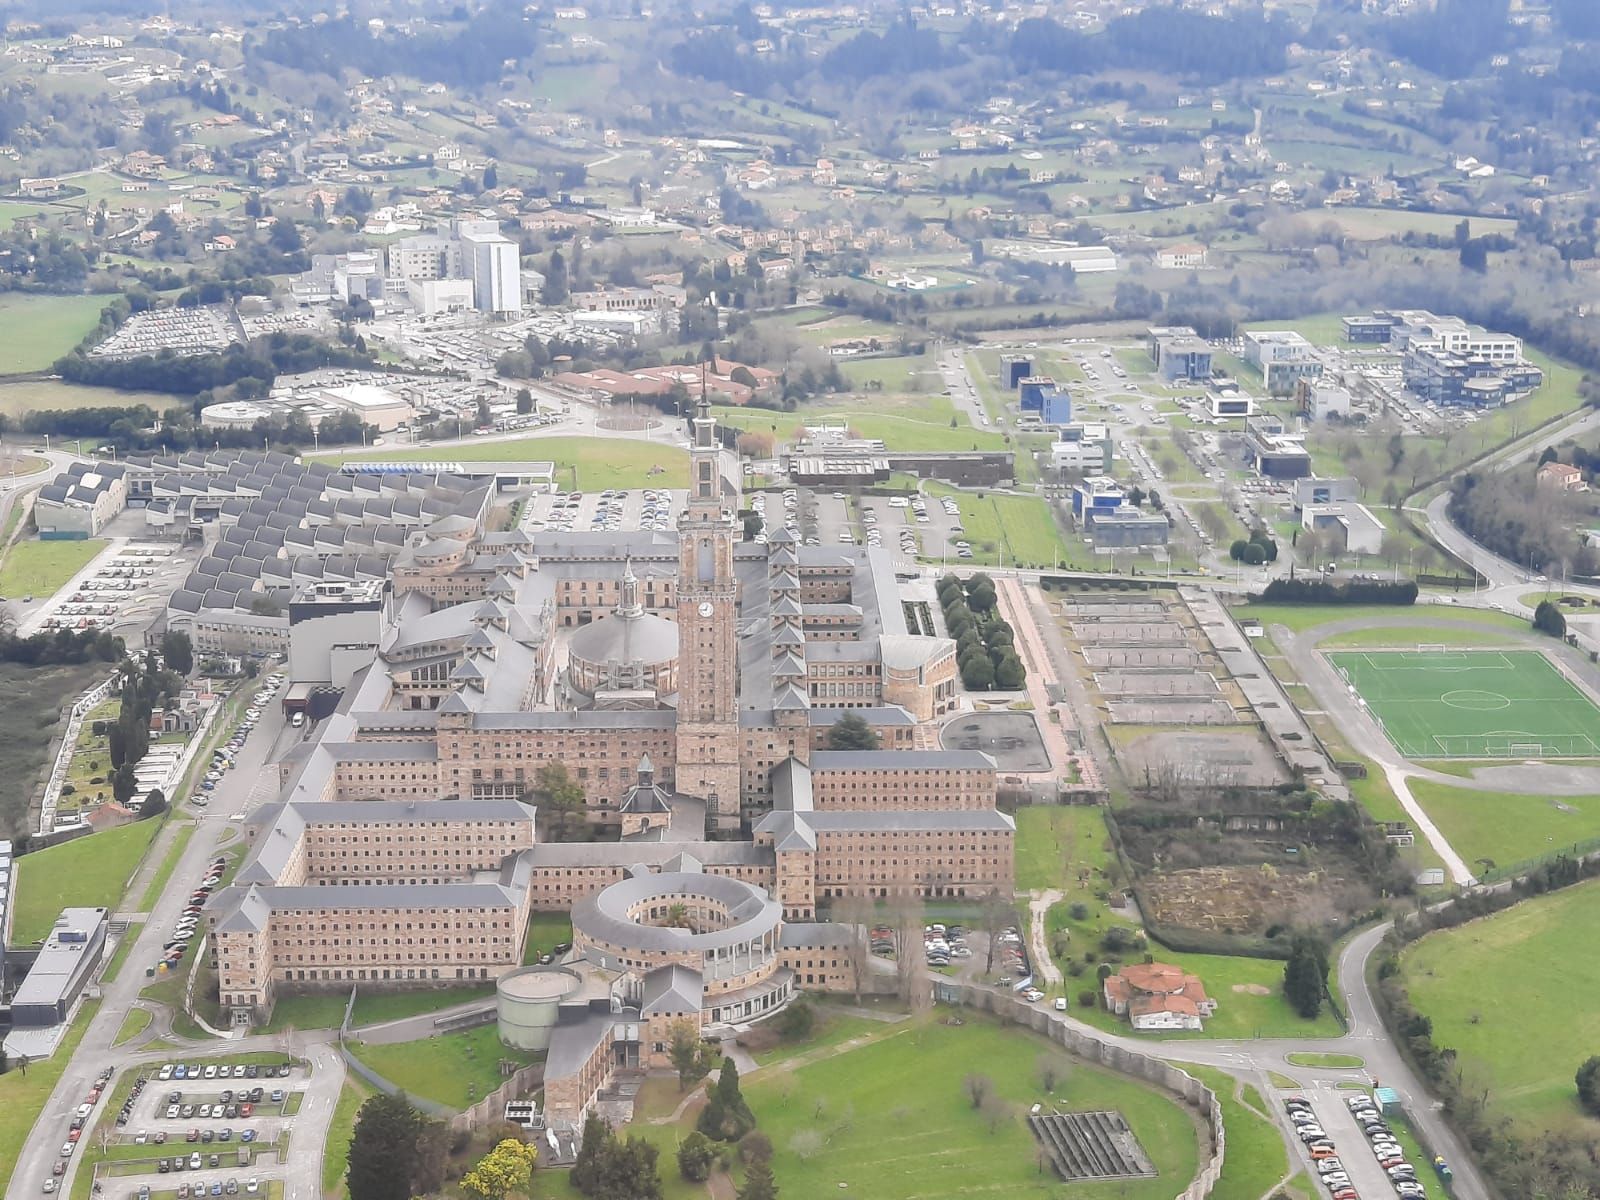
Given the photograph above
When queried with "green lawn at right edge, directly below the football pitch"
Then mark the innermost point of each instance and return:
(1508, 828)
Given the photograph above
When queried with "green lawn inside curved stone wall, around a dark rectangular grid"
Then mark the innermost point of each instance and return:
(894, 1142)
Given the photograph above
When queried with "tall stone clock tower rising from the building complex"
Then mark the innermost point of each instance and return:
(708, 753)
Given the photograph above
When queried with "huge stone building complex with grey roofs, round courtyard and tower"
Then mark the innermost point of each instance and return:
(687, 684)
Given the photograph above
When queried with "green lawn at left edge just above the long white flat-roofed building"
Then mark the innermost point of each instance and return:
(86, 873)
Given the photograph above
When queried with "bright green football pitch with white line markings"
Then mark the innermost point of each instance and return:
(1441, 703)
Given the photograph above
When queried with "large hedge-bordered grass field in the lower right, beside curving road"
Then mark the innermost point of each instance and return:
(1505, 994)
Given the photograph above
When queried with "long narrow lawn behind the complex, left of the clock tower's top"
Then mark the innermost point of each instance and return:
(596, 463)
